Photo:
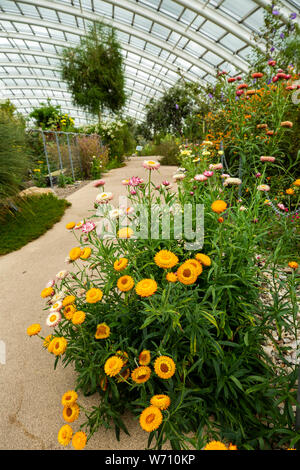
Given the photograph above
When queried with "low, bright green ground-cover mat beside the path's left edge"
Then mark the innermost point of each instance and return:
(35, 215)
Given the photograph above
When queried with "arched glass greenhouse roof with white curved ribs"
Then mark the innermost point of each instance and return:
(161, 39)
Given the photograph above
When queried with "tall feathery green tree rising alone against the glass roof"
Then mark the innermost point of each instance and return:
(94, 71)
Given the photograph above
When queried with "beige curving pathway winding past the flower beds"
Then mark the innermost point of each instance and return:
(30, 390)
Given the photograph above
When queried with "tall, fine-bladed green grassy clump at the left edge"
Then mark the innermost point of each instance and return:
(14, 154)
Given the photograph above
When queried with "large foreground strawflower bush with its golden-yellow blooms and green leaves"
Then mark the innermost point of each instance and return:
(176, 336)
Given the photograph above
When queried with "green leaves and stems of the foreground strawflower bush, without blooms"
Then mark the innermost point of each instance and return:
(225, 386)
